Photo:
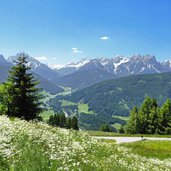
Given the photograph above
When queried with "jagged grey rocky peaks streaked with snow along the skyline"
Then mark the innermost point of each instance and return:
(120, 65)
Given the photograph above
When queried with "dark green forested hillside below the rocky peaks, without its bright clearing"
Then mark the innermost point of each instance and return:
(115, 98)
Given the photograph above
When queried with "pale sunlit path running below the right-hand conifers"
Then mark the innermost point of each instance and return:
(132, 139)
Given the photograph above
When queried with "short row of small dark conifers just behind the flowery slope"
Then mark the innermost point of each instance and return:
(60, 120)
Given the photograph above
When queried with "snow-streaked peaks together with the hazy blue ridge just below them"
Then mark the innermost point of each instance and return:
(90, 71)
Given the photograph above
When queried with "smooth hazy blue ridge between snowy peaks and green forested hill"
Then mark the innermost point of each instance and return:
(81, 79)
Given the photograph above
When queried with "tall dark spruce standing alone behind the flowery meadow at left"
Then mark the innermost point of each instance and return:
(23, 96)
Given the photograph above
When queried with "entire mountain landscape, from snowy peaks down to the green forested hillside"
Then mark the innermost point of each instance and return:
(106, 88)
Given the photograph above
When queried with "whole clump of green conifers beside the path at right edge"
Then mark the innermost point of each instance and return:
(150, 118)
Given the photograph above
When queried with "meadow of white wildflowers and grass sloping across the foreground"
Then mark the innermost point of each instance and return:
(31, 146)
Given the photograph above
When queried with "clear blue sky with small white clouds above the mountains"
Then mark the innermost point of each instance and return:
(62, 31)
